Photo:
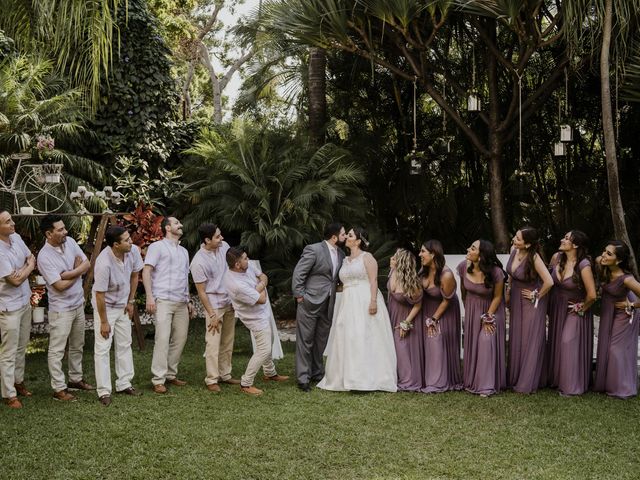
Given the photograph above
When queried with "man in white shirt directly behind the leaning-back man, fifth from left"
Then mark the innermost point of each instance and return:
(208, 268)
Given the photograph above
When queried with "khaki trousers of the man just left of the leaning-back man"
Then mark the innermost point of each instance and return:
(219, 347)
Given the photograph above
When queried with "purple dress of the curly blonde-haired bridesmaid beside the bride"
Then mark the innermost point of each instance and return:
(410, 349)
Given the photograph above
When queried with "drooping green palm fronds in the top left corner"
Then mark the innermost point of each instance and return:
(76, 33)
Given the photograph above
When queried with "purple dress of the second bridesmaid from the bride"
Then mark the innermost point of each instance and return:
(442, 352)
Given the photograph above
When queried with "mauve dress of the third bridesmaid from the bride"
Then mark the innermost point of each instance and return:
(484, 354)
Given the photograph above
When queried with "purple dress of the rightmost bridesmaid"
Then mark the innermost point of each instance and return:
(616, 366)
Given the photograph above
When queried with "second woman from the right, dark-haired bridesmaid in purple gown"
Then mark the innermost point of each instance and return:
(570, 342)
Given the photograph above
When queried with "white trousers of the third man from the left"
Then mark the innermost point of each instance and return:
(121, 335)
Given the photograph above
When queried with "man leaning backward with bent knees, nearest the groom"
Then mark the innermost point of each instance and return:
(247, 290)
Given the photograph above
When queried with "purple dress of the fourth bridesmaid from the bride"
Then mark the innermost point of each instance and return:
(526, 332)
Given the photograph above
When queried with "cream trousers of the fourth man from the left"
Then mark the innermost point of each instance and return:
(172, 326)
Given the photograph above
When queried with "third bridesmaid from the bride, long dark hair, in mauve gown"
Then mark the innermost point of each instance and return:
(482, 285)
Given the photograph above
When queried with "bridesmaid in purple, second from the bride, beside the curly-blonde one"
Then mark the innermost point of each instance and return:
(441, 321)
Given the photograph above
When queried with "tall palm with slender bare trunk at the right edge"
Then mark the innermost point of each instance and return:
(611, 28)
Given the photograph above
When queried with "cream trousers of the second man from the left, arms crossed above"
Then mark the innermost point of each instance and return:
(65, 326)
